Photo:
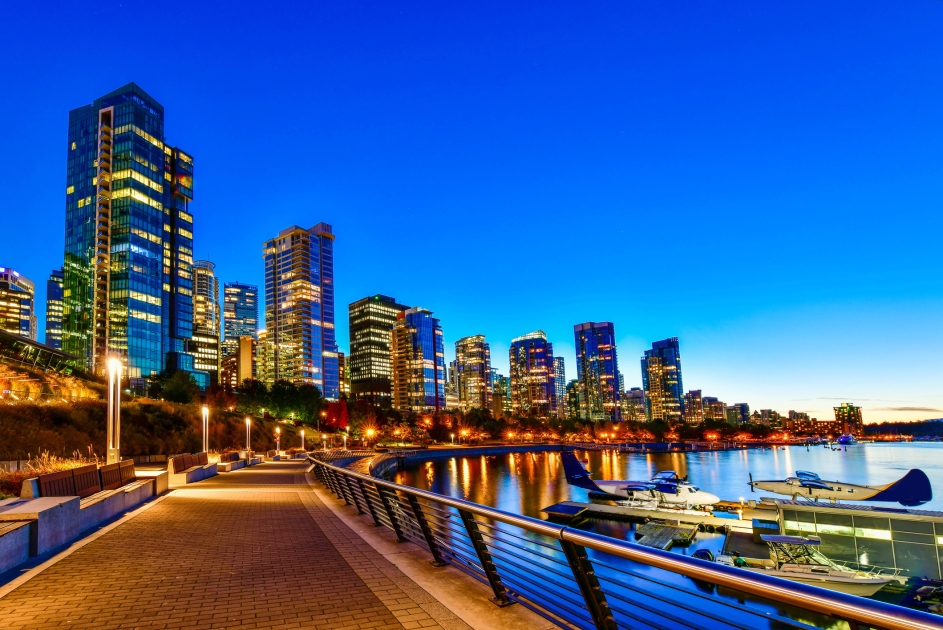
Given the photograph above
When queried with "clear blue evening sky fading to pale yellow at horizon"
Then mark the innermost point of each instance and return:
(763, 180)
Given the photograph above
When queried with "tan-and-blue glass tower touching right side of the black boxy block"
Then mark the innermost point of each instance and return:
(418, 353)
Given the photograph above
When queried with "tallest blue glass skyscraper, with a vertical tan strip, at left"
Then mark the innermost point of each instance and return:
(127, 278)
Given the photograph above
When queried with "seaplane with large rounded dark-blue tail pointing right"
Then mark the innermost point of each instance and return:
(910, 490)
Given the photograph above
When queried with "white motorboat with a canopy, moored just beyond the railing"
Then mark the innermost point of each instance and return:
(799, 559)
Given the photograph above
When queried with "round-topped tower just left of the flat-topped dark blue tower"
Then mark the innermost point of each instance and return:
(533, 391)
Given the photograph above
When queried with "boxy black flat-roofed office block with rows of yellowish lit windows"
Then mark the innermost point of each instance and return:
(370, 362)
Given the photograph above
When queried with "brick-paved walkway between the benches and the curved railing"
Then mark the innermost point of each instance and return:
(250, 549)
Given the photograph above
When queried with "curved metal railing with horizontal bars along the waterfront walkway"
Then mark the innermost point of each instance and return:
(579, 579)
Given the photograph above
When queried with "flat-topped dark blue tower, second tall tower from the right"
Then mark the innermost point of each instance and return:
(597, 370)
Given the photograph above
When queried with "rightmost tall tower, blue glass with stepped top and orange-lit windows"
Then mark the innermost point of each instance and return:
(661, 379)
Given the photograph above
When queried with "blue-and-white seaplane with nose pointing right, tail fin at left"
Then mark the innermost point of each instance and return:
(664, 488)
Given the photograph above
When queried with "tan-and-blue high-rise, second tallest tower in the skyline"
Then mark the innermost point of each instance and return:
(299, 307)
